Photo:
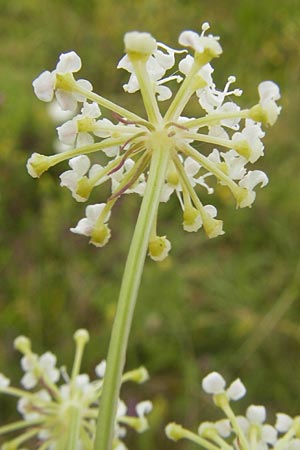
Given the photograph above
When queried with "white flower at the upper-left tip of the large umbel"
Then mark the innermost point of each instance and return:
(45, 85)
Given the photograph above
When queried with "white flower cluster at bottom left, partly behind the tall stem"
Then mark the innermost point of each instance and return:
(54, 412)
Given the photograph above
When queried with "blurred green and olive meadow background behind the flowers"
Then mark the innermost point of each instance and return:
(230, 304)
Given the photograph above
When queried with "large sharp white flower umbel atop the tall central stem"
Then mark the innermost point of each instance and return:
(234, 135)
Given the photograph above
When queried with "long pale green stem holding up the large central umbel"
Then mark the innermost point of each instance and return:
(128, 293)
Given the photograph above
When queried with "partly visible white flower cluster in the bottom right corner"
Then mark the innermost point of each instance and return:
(239, 432)
